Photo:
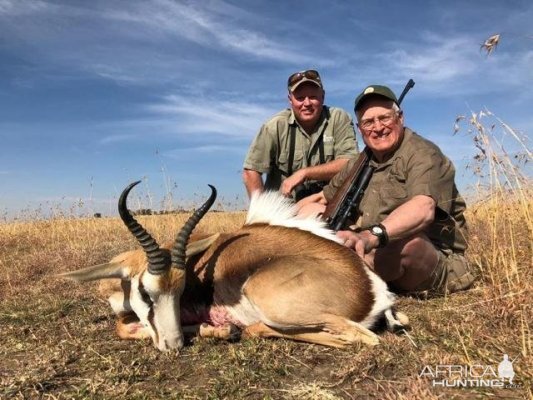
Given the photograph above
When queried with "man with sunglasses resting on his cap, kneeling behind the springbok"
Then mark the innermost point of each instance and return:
(300, 149)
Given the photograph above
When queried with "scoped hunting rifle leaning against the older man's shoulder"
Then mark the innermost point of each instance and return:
(347, 198)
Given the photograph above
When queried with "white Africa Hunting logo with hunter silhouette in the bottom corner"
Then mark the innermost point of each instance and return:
(445, 375)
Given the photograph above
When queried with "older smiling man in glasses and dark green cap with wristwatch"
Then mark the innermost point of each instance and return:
(411, 229)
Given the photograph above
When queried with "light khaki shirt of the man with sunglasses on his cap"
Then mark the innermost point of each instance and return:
(269, 151)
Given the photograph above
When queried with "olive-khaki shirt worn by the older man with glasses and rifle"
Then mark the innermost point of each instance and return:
(417, 168)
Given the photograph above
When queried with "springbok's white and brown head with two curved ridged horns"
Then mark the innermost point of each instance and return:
(153, 284)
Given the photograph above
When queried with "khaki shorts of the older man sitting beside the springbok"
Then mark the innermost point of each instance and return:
(452, 274)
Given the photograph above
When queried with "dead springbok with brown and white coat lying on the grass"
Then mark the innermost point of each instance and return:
(277, 276)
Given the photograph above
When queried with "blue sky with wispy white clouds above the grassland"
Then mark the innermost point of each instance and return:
(96, 94)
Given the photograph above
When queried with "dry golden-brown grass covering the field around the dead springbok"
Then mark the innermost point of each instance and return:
(57, 338)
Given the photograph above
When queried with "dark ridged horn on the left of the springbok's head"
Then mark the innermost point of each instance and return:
(157, 261)
